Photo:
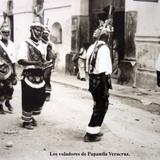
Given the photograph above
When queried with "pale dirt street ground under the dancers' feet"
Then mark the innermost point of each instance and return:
(129, 133)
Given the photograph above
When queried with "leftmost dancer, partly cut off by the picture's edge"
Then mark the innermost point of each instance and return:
(7, 68)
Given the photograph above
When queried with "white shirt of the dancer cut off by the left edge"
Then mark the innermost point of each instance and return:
(10, 50)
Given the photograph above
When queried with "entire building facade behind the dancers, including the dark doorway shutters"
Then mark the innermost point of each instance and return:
(136, 26)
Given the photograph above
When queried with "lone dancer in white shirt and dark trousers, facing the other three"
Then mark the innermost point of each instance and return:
(99, 69)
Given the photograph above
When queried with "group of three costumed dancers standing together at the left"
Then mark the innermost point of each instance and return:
(37, 56)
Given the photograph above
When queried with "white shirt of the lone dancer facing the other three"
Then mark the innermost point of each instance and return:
(103, 60)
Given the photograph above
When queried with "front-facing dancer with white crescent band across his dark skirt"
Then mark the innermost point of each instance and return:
(32, 58)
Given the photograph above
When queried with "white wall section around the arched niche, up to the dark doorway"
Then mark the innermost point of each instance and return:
(62, 11)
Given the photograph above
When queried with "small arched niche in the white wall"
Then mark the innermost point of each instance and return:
(56, 33)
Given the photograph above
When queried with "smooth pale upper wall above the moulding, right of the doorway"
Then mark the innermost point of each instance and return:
(148, 21)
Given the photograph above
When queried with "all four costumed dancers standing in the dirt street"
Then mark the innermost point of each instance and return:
(37, 56)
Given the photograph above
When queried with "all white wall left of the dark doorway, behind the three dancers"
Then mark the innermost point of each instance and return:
(57, 11)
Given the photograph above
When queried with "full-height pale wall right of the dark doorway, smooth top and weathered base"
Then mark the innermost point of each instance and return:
(147, 40)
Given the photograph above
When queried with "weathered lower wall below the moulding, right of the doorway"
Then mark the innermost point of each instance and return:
(147, 53)
